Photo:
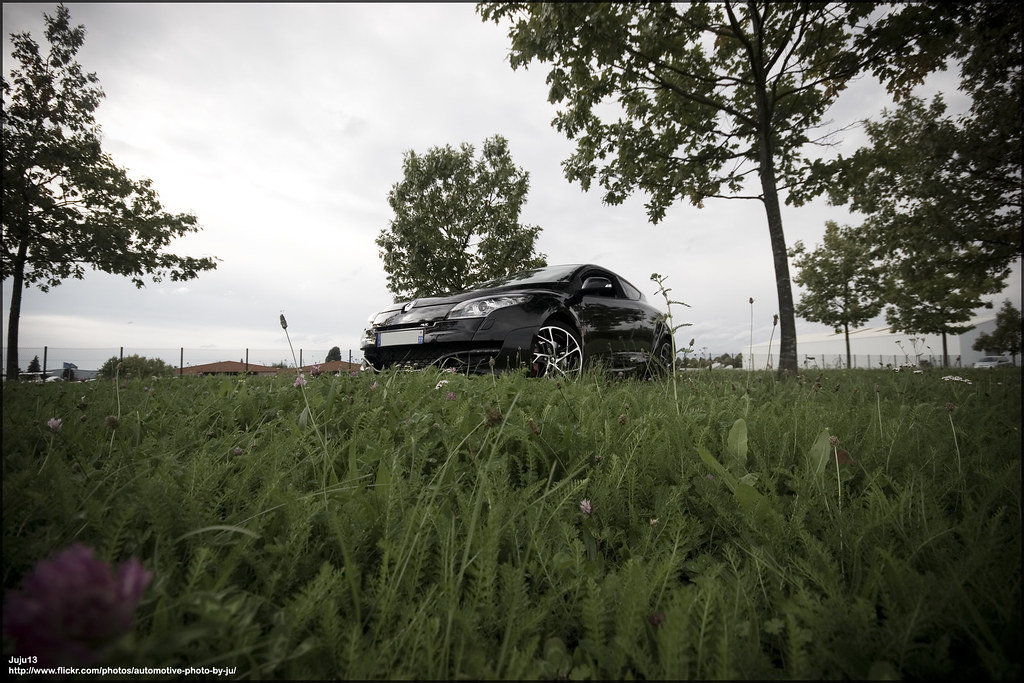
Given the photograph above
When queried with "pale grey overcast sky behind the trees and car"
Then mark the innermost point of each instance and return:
(283, 129)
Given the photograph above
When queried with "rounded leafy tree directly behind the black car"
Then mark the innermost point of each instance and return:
(457, 221)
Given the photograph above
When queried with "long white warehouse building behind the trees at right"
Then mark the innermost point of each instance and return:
(876, 348)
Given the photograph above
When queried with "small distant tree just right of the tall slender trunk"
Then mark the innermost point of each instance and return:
(842, 280)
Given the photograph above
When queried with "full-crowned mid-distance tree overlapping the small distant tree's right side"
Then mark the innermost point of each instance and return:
(941, 240)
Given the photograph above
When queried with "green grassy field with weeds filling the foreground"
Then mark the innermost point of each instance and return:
(848, 525)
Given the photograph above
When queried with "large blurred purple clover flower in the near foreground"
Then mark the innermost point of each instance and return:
(72, 606)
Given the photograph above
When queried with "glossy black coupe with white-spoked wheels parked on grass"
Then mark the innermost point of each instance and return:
(554, 320)
